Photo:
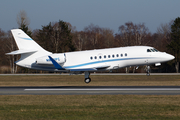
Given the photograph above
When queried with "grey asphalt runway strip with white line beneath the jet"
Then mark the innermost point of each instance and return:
(91, 90)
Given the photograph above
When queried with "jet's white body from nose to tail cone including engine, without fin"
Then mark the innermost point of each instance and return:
(111, 58)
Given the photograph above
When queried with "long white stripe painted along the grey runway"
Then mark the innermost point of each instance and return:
(105, 89)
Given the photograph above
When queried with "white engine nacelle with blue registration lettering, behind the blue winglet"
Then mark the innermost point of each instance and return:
(59, 58)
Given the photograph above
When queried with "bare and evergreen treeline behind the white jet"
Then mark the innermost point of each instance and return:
(61, 36)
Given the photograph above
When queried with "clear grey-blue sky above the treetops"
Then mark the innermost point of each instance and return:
(81, 13)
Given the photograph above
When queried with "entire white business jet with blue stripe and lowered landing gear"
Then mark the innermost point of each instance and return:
(33, 56)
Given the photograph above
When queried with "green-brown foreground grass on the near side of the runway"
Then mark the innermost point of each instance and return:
(89, 107)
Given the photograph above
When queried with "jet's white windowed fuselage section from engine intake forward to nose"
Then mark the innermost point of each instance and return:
(115, 57)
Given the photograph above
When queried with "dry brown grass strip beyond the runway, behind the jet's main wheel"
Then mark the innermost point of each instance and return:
(97, 80)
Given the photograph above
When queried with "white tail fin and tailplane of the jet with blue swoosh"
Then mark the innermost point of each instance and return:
(28, 48)
